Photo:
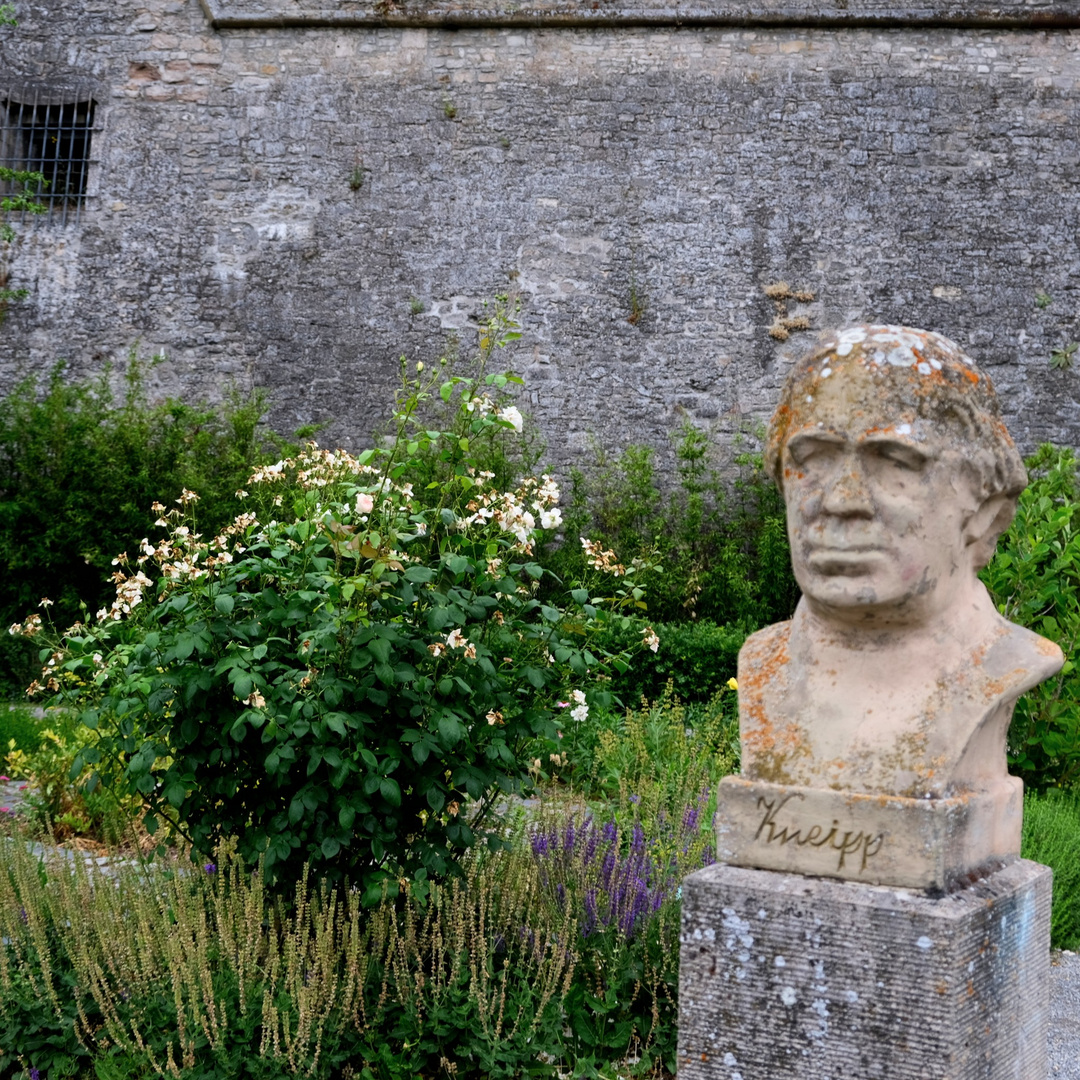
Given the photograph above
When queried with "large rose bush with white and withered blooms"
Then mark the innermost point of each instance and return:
(356, 670)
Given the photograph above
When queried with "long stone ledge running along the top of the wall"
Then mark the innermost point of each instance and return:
(1004, 15)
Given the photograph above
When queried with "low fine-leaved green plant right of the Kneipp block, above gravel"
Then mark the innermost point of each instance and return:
(1052, 838)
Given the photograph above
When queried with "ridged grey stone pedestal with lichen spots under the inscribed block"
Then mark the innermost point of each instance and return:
(792, 978)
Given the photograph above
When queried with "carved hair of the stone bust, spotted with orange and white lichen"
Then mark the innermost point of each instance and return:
(914, 373)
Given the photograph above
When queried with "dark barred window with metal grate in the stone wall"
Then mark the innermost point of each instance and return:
(49, 130)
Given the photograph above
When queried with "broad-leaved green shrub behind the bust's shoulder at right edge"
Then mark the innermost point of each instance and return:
(1035, 582)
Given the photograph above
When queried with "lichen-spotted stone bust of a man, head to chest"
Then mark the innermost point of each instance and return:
(897, 676)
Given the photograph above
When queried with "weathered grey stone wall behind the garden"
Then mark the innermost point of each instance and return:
(906, 163)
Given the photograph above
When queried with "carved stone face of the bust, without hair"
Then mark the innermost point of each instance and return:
(876, 515)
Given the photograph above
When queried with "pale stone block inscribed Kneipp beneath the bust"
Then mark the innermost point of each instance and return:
(875, 840)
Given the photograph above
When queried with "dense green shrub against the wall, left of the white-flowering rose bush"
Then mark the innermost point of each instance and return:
(79, 468)
